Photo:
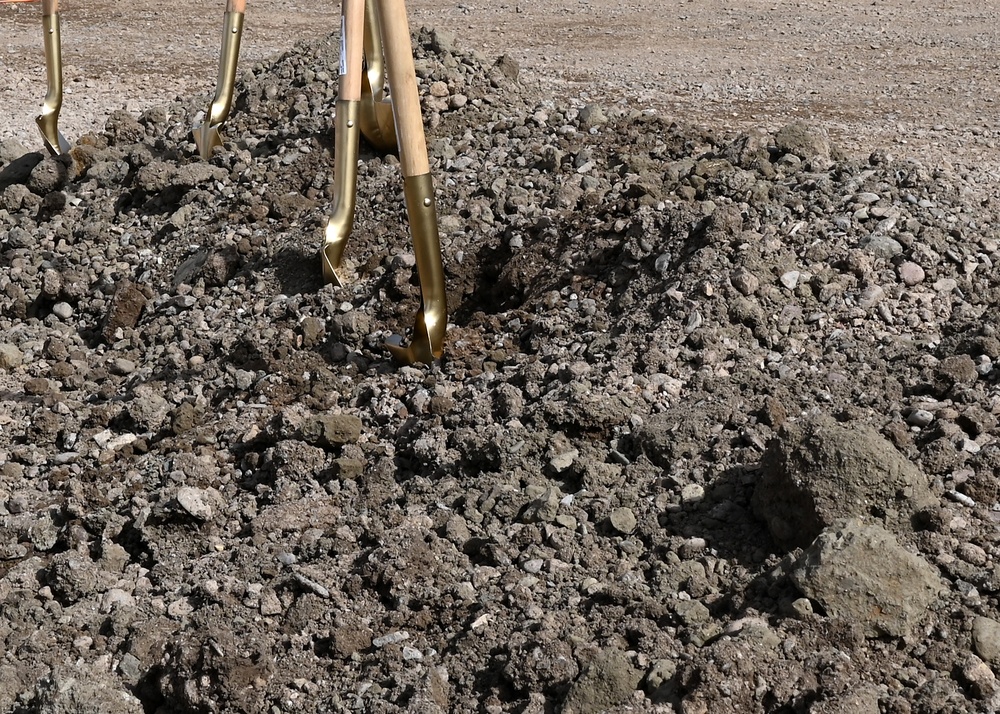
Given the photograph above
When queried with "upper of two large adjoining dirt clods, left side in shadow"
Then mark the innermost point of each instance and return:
(818, 471)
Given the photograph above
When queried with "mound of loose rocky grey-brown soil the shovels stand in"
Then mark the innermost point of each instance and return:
(715, 430)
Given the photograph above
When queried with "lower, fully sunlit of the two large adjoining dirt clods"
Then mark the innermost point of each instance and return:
(860, 573)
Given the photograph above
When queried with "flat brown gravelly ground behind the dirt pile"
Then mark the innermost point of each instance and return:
(917, 78)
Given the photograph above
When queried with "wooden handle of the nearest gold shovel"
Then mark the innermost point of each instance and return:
(403, 81)
